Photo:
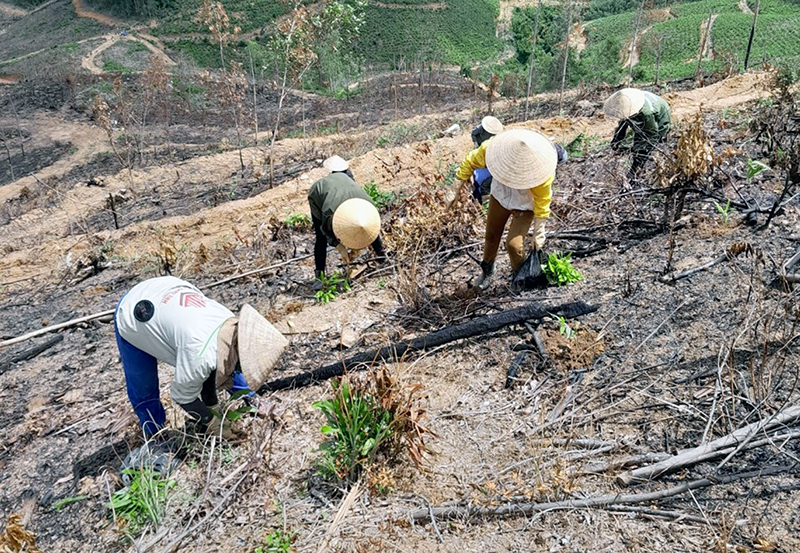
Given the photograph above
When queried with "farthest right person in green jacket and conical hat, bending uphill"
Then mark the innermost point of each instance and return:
(646, 114)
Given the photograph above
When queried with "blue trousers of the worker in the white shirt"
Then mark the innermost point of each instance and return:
(141, 382)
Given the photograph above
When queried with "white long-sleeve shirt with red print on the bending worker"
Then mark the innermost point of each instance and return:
(182, 332)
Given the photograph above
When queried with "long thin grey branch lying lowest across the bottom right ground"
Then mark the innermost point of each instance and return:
(599, 502)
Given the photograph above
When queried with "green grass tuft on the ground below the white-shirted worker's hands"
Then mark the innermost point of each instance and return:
(144, 500)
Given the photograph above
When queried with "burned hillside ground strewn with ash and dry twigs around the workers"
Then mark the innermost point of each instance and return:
(658, 368)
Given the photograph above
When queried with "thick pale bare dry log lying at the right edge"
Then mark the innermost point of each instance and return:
(710, 450)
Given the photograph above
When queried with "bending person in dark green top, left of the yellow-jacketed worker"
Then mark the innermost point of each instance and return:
(343, 216)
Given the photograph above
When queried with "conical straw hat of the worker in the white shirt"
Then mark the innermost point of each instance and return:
(260, 346)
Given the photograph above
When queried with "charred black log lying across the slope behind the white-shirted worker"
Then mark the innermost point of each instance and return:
(391, 353)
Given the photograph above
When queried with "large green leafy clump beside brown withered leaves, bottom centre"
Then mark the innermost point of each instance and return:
(356, 427)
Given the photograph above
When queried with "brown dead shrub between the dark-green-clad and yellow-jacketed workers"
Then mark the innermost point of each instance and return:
(421, 226)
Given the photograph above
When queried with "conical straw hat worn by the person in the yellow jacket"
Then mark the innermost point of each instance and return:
(521, 158)
